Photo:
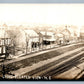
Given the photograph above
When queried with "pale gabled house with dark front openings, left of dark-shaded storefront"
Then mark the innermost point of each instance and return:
(32, 39)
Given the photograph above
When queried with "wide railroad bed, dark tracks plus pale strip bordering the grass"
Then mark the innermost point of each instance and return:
(55, 66)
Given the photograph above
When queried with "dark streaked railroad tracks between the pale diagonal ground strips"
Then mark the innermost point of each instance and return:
(58, 66)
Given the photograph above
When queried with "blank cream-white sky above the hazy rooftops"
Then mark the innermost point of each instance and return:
(56, 14)
